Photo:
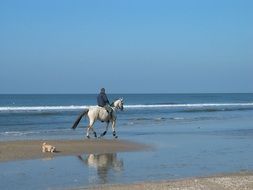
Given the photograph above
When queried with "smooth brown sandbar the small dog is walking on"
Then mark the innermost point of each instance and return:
(32, 149)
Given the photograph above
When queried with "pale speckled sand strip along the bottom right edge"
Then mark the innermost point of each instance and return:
(238, 181)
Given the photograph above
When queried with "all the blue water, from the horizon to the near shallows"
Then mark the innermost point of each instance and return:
(191, 135)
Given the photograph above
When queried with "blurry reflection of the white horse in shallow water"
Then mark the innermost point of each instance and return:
(103, 164)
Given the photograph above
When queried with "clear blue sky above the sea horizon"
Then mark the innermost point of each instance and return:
(126, 46)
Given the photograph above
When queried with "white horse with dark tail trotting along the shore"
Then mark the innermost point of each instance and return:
(95, 113)
